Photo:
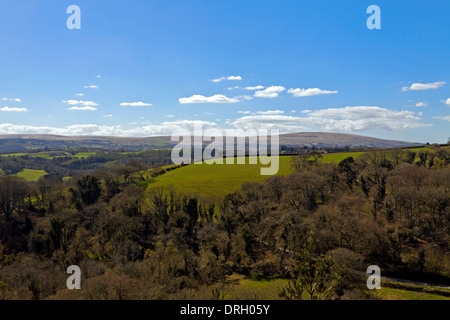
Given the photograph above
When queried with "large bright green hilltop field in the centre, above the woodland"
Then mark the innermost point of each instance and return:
(218, 180)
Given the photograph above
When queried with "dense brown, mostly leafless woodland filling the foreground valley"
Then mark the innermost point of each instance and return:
(319, 225)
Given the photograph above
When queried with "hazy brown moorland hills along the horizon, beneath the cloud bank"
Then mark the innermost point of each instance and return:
(22, 143)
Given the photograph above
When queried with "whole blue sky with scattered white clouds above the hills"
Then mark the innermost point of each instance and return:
(142, 68)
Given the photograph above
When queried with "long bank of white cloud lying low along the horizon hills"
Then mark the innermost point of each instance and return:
(346, 119)
